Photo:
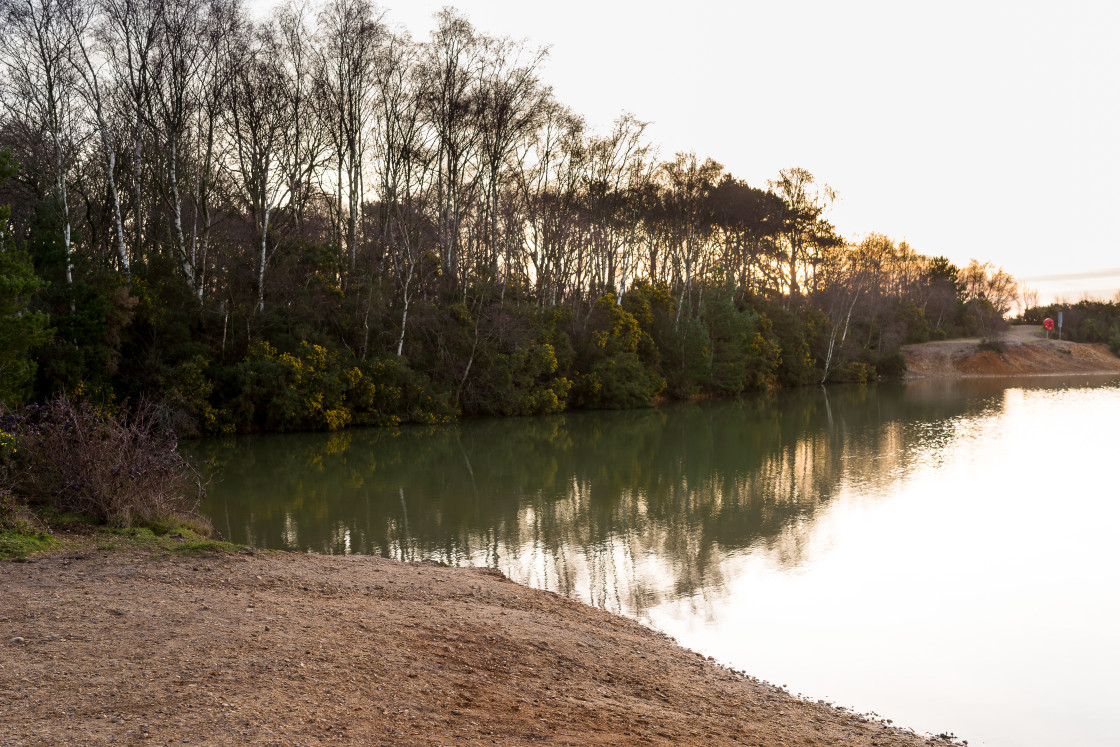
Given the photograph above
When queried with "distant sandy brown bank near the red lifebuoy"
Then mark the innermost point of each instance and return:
(1026, 352)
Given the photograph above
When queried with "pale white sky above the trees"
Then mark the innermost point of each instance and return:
(983, 129)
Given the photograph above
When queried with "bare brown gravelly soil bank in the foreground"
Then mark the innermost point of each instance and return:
(278, 649)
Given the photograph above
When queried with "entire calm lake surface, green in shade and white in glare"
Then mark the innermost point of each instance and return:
(942, 554)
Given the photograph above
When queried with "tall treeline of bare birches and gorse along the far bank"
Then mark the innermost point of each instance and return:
(315, 221)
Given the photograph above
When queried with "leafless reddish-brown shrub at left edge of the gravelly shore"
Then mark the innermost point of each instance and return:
(123, 470)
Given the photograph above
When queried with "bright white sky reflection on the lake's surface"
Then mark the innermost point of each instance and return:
(977, 591)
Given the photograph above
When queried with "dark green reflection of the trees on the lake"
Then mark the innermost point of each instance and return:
(621, 509)
